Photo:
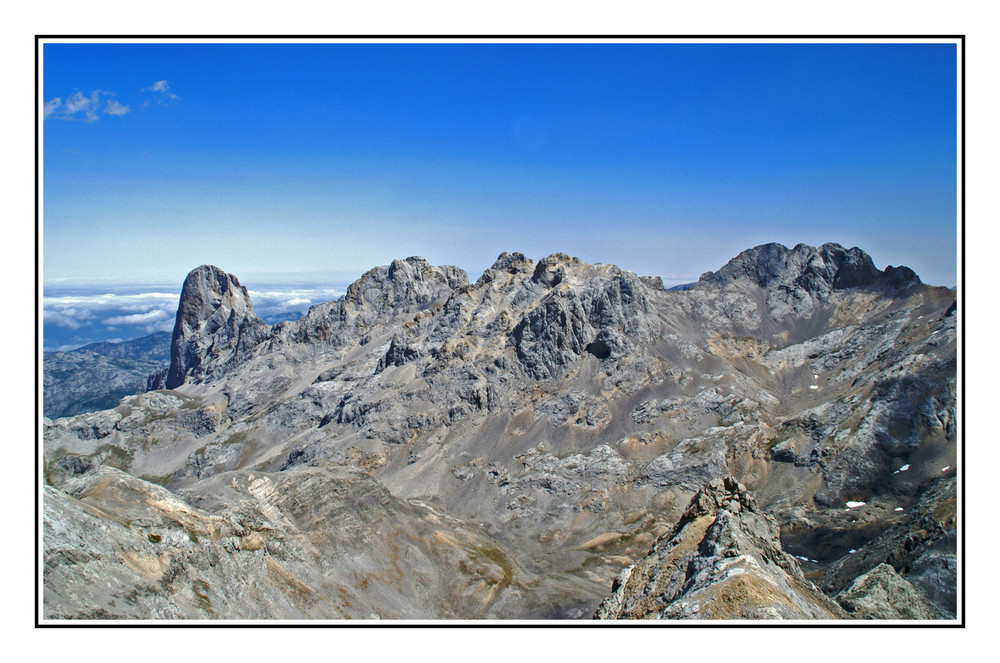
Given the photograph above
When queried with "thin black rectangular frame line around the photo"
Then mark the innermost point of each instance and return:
(961, 622)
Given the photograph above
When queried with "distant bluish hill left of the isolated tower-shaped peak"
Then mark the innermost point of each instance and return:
(96, 376)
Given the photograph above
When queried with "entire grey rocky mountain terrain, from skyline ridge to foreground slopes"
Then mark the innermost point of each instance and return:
(557, 440)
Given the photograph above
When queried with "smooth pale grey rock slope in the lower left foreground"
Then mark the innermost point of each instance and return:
(307, 543)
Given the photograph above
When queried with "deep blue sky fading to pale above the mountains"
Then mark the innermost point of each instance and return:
(327, 159)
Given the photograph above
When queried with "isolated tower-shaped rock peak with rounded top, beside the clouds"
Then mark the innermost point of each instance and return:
(216, 326)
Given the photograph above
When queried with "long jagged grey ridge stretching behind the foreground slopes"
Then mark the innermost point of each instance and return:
(569, 410)
